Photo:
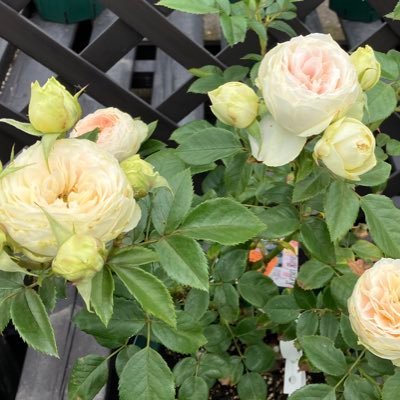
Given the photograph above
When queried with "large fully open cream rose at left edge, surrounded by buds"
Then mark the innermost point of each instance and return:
(86, 192)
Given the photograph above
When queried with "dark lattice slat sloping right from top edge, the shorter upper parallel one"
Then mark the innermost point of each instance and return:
(151, 23)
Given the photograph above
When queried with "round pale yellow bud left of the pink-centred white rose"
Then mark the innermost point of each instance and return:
(234, 104)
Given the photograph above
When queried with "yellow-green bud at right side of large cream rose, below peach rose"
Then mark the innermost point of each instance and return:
(141, 175)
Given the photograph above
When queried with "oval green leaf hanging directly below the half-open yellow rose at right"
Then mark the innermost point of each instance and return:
(341, 209)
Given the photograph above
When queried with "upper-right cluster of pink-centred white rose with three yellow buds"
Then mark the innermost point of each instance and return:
(309, 86)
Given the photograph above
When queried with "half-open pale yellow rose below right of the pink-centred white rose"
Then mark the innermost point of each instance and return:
(347, 148)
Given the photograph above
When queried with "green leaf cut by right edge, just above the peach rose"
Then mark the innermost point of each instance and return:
(383, 220)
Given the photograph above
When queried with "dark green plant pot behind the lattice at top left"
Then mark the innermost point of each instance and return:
(68, 11)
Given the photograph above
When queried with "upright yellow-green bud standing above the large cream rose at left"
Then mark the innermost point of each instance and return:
(52, 109)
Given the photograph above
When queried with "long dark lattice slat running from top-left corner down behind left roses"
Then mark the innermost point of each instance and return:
(74, 69)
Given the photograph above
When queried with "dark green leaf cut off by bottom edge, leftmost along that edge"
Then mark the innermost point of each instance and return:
(88, 376)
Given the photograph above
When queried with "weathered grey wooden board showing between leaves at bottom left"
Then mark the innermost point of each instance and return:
(46, 378)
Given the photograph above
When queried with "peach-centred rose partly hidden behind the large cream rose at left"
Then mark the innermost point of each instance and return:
(120, 134)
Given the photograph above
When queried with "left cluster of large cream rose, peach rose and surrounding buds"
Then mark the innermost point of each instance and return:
(77, 196)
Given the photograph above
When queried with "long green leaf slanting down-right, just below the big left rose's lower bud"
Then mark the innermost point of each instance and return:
(149, 291)
